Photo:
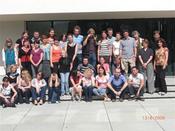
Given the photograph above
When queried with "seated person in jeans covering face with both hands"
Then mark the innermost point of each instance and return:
(54, 88)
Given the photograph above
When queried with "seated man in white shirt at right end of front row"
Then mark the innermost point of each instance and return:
(136, 84)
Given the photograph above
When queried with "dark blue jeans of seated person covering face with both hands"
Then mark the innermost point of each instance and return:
(54, 94)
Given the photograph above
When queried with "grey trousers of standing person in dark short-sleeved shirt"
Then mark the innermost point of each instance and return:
(150, 78)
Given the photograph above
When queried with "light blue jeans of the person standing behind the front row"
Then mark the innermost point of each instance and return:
(64, 83)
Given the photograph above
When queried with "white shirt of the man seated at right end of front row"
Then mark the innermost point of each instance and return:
(136, 79)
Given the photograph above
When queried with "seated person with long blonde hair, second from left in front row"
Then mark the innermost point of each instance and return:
(24, 87)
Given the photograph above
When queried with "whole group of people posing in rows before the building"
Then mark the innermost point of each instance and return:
(109, 67)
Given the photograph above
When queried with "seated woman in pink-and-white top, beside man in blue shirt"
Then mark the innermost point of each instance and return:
(101, 84)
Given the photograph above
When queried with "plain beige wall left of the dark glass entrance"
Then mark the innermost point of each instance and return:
(11, 29)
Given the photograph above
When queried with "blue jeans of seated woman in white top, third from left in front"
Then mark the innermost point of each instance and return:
(41, 94)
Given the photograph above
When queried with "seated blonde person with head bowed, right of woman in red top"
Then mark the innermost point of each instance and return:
(88, 82)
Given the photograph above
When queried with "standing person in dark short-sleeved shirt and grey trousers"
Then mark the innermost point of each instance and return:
(146, 60)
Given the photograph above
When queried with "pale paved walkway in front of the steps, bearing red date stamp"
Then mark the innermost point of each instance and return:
(150, 115)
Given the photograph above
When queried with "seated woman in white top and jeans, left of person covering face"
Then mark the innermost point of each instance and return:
(38, 88)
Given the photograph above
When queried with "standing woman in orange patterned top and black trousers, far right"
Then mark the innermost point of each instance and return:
(160, 64)
